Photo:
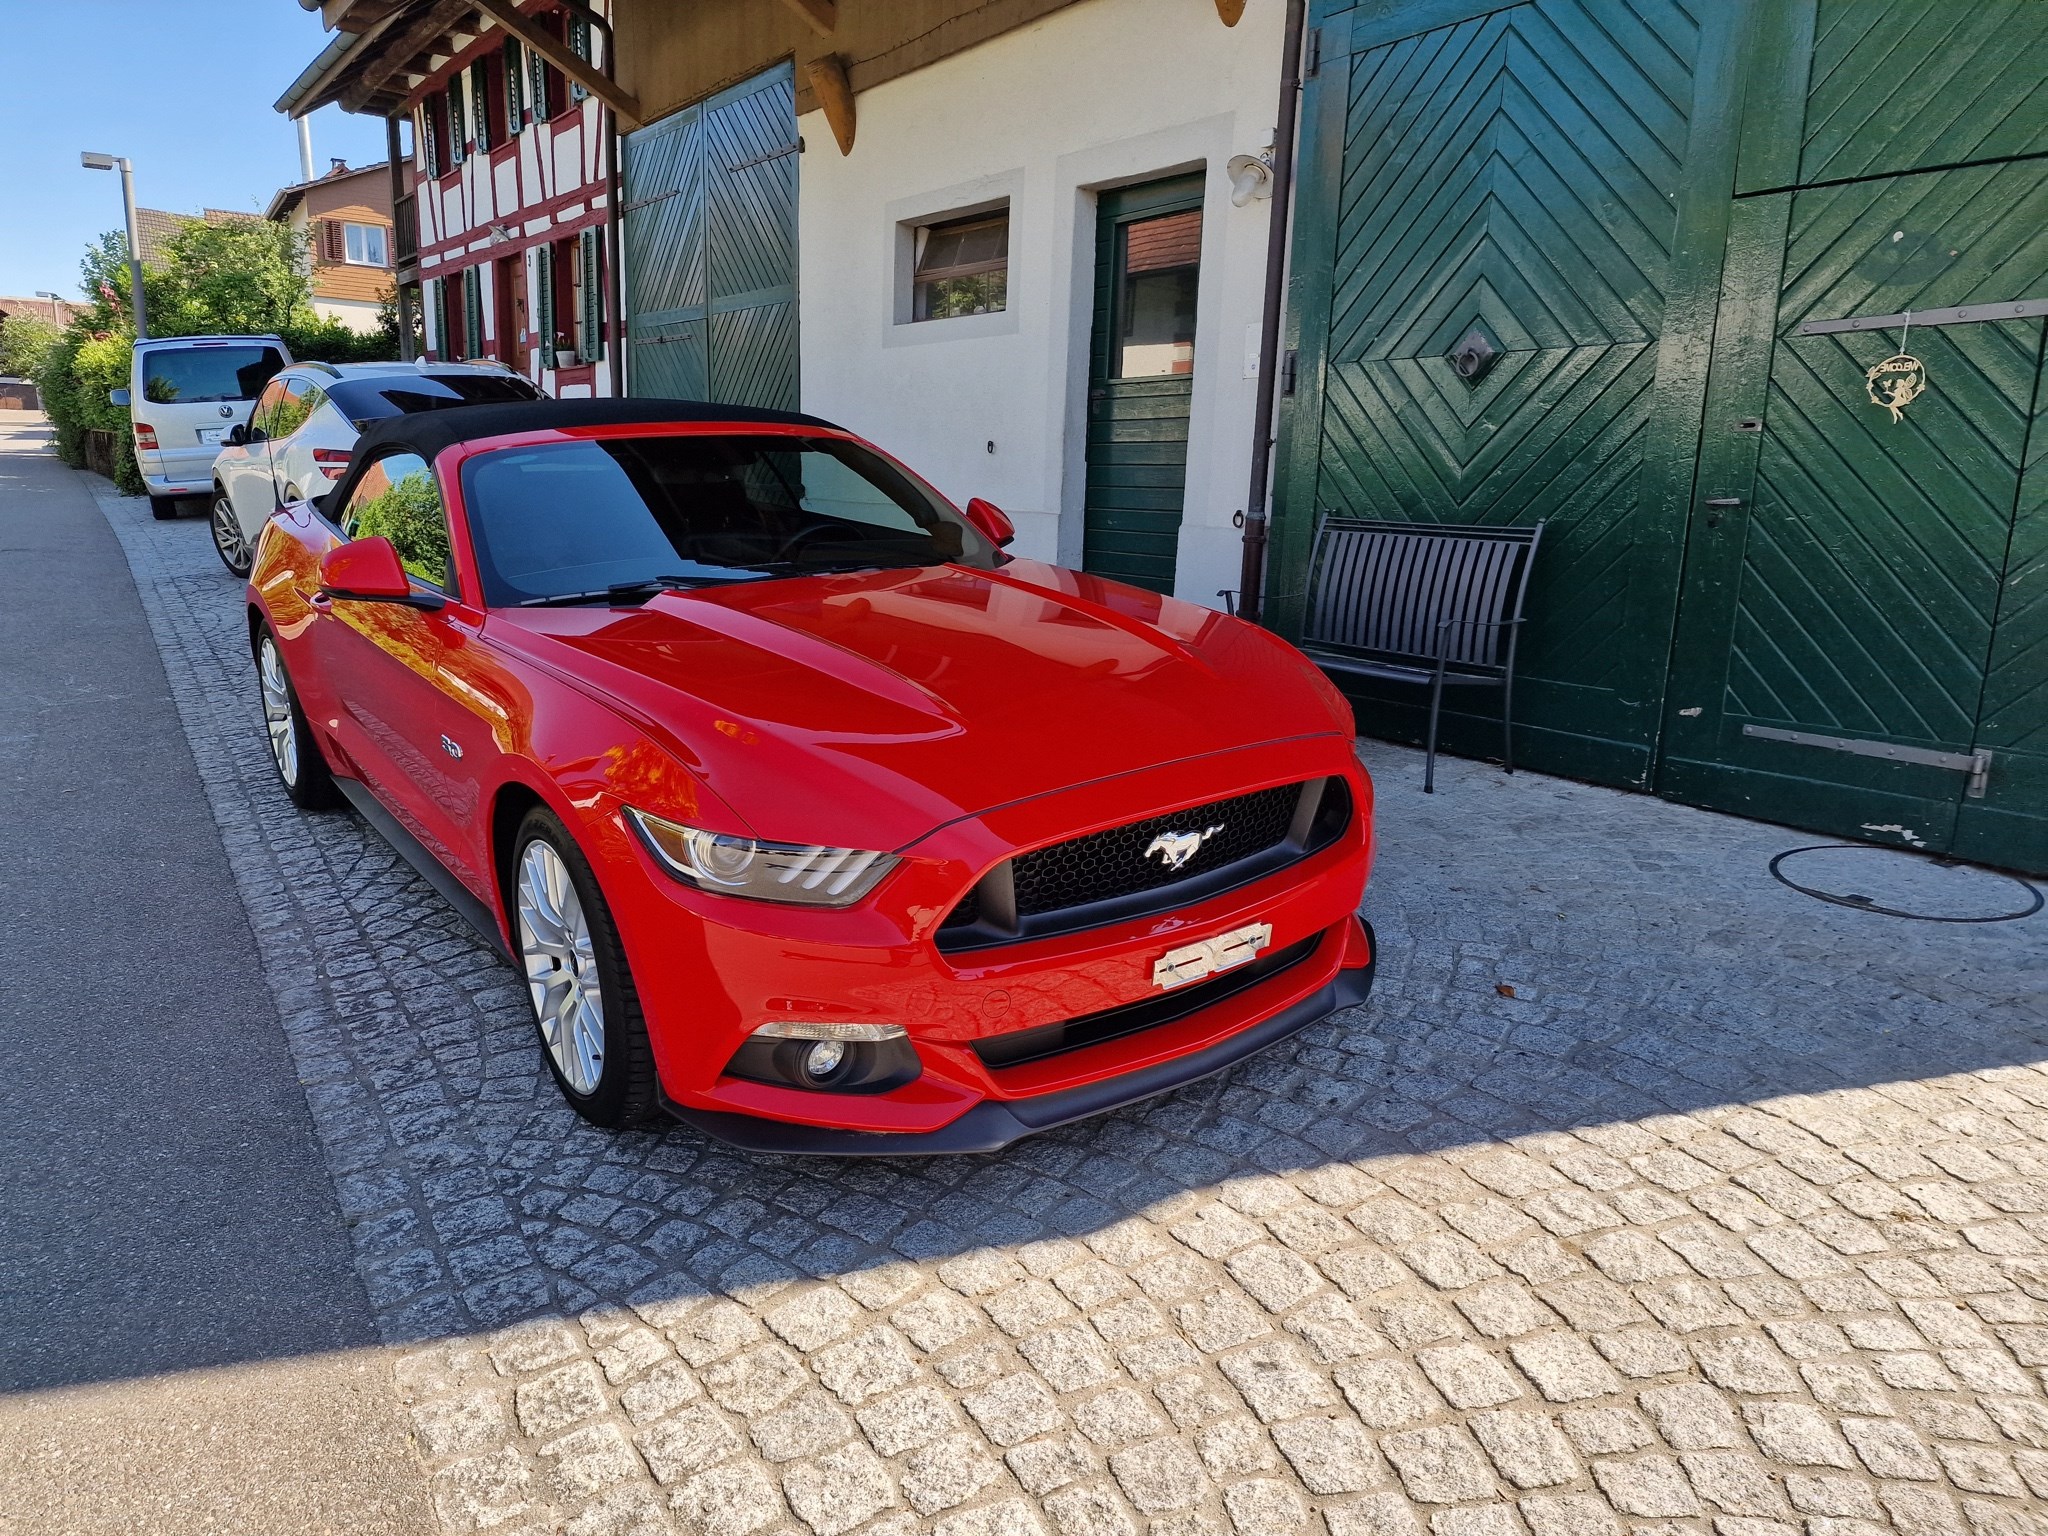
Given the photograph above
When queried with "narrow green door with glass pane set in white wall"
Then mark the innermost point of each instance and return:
(1140, 380)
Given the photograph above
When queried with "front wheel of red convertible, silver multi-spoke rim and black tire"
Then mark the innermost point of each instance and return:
(587, 1013)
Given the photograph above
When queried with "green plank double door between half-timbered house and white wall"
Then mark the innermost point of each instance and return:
(712, 249)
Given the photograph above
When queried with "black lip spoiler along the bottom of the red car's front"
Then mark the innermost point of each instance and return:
(994, 1125)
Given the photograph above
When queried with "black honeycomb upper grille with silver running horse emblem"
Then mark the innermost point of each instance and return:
(1125, 871)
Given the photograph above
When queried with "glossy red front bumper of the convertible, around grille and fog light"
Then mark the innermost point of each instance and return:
(712, 970)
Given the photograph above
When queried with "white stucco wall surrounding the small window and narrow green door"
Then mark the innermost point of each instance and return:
(1105, 93)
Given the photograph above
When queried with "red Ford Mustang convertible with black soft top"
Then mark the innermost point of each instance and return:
(810, 816)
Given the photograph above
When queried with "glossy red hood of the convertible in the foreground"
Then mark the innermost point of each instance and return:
(888, 703)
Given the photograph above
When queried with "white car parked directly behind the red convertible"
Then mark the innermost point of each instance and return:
(306, 425)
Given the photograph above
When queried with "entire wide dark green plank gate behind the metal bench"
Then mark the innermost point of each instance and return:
(1758, 591)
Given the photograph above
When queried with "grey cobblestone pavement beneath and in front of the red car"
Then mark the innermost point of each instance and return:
(1646, 1197)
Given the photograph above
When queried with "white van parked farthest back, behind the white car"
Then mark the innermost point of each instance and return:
(185, 394)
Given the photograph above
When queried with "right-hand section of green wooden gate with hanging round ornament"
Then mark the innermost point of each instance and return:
(1865, 638)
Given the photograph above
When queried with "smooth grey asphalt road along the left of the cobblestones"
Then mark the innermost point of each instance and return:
(183, 1336)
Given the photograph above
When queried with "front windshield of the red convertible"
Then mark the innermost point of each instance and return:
(568, 521)
